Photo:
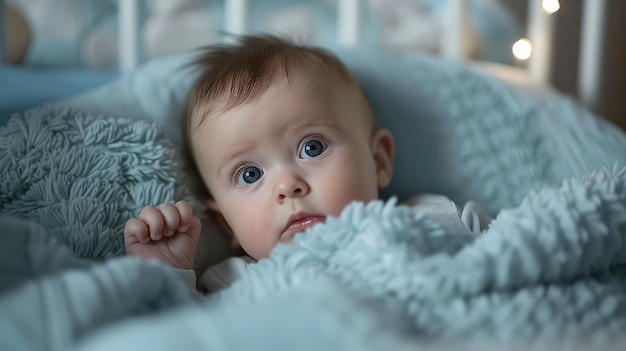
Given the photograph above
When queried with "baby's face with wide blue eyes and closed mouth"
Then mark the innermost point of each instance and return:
(286, 160)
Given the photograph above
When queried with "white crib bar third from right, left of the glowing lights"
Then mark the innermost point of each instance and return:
(455, 27)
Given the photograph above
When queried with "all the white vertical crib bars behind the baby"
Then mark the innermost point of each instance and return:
(349, 31)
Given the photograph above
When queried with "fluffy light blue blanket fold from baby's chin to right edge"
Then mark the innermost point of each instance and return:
(542, 270)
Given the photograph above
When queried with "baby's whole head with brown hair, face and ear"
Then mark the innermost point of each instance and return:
(277, 137)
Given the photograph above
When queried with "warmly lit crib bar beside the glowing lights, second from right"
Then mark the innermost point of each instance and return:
(540, 34)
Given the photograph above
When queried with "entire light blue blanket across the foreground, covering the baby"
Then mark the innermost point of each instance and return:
(547, 273)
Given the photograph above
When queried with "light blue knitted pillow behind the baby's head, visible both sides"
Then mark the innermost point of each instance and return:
(458, 131)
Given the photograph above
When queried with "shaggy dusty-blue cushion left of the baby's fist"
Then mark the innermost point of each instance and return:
(82, 176)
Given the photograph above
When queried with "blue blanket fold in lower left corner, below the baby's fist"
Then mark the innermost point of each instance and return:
(51, 298)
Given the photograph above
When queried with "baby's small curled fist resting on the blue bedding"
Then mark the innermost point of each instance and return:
(167, 232)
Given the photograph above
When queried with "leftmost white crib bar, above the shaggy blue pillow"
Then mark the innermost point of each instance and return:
(128, 35)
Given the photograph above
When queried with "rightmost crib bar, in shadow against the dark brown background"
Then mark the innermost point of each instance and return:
(592, 46)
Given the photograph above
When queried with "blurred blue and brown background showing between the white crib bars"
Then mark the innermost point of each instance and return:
(72, 33)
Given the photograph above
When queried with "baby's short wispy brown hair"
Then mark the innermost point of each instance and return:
(231, 75)
